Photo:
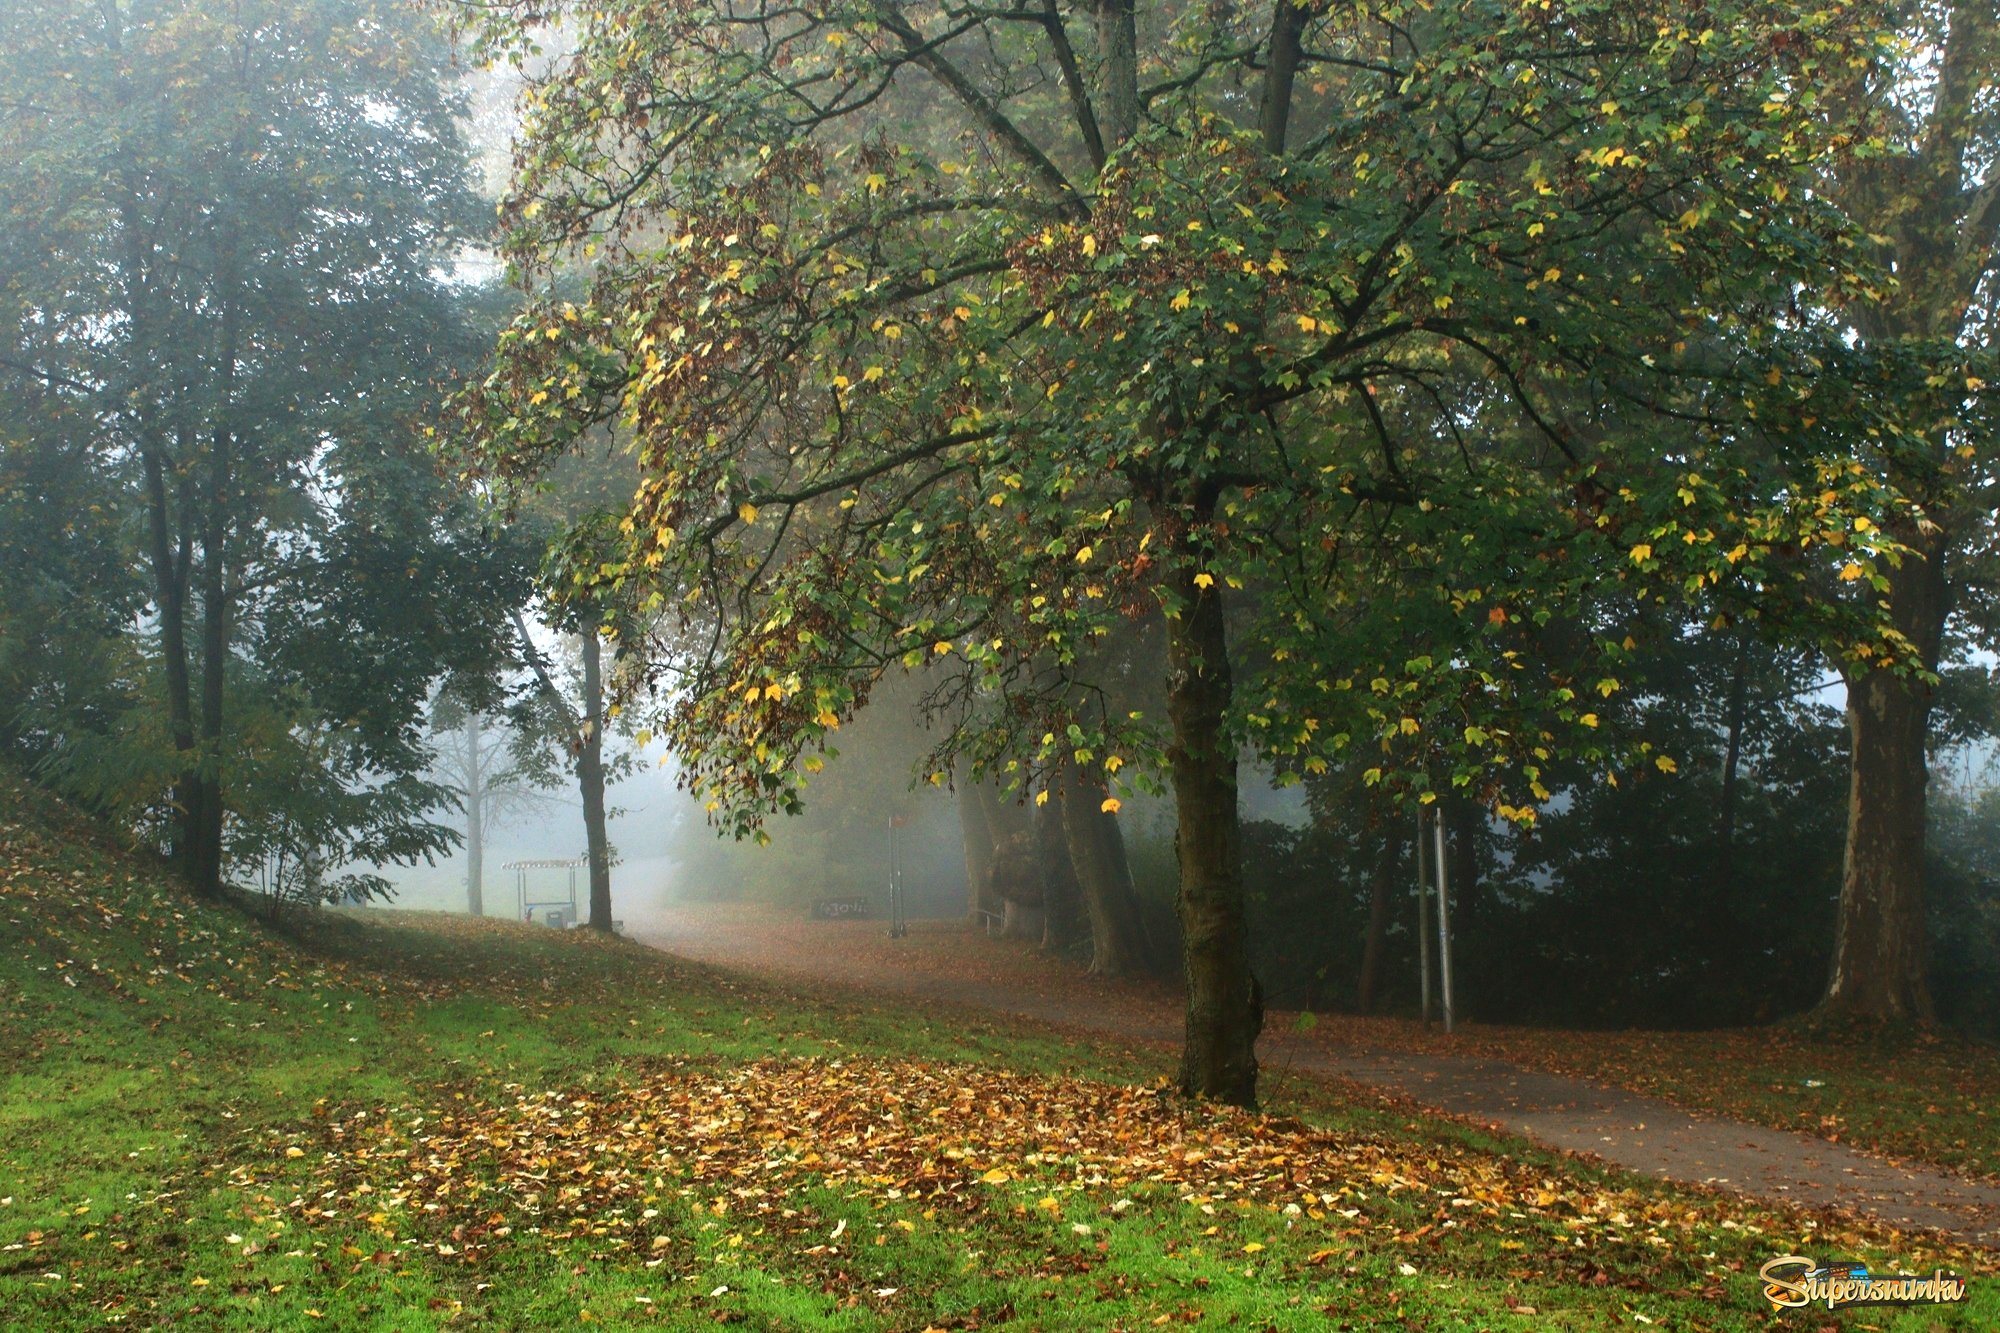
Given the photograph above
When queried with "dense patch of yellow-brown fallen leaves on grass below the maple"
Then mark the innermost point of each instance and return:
(621, 1168)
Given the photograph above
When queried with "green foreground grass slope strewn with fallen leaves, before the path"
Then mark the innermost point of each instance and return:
(405, 1122)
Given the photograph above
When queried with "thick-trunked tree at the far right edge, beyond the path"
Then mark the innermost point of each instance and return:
(1931, 201)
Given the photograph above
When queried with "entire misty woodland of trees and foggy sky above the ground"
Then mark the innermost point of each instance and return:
(1181, 457)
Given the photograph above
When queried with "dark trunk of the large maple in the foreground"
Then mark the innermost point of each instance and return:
(1225, 1012)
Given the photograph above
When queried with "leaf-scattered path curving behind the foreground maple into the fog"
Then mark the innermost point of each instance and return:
(947, 964)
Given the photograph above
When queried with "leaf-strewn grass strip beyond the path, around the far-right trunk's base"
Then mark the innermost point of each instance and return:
(1931, 1098)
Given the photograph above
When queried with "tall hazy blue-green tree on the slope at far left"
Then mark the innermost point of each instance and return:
(225, 253)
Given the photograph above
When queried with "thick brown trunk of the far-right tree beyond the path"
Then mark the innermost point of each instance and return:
(1879, 970)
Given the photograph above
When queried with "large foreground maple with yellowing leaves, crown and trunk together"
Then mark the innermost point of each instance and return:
(953, 335)
